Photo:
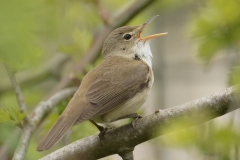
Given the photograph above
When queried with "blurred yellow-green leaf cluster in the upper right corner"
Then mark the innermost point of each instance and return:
(216, 27)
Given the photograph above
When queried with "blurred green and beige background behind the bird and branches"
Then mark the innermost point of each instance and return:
(41, 40)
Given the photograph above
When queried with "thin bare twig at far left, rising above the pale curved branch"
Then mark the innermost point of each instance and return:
(17, 90)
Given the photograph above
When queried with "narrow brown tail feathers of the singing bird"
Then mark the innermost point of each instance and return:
(56, 133)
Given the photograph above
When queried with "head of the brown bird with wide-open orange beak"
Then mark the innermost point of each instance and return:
(126, 41)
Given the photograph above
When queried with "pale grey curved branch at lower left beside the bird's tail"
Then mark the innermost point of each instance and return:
(34, 118)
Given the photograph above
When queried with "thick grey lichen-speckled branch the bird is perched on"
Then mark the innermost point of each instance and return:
(128, 136)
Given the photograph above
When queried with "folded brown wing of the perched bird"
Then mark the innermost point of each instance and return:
(120, 81)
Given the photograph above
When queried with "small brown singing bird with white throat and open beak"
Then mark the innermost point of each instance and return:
(114, 89)
